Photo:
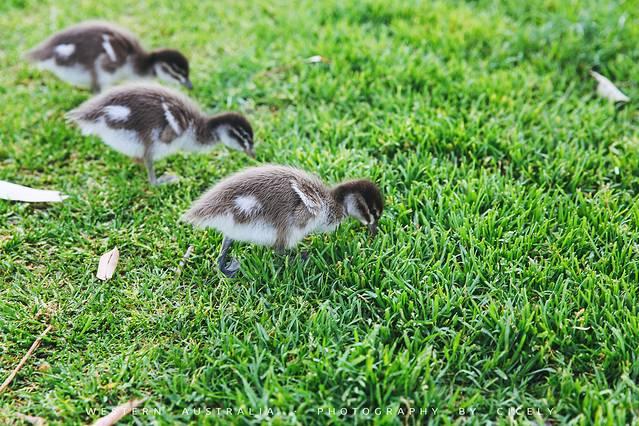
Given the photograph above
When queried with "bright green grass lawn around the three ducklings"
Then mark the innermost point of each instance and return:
(505, 274)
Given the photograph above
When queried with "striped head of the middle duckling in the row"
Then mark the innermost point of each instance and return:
(234, 131)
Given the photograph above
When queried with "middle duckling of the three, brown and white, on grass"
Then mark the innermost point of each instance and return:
(148, 122)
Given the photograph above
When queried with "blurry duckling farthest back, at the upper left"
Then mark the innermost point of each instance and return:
(99, 54)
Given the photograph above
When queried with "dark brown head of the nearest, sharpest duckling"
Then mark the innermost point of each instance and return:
(362, 200)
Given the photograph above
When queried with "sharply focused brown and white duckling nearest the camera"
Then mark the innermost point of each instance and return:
(278, 206)
